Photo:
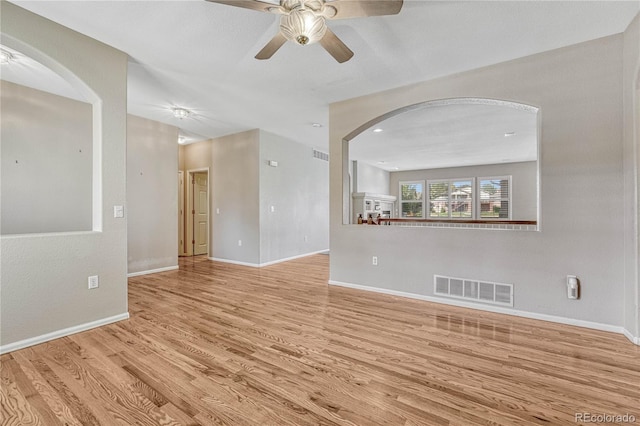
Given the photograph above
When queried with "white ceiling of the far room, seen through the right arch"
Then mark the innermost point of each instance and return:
(450, 134)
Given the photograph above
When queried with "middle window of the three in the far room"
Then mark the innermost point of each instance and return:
(451, 199)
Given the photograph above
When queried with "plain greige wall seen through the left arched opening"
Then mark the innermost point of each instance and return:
(46, 143)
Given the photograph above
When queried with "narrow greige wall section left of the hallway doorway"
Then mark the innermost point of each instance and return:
(152, 195)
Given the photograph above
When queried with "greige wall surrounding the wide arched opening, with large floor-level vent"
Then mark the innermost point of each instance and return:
(579, 92)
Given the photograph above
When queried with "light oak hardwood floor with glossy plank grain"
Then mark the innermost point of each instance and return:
(215, 343)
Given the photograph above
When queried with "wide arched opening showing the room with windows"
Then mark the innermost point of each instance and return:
(451, 161)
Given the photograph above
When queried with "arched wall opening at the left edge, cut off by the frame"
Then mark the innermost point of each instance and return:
(51, 146)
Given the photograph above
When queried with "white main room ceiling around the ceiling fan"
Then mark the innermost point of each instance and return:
(200, 55)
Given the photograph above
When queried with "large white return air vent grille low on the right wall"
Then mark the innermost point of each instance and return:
(473, 290)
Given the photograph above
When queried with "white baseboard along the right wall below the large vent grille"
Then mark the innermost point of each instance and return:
(496, 309)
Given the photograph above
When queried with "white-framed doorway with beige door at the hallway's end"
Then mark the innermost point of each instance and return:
(198, 212)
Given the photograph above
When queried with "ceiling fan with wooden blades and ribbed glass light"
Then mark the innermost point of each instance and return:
(304, 21)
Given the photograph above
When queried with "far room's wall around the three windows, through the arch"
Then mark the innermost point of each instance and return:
(524, 183)
